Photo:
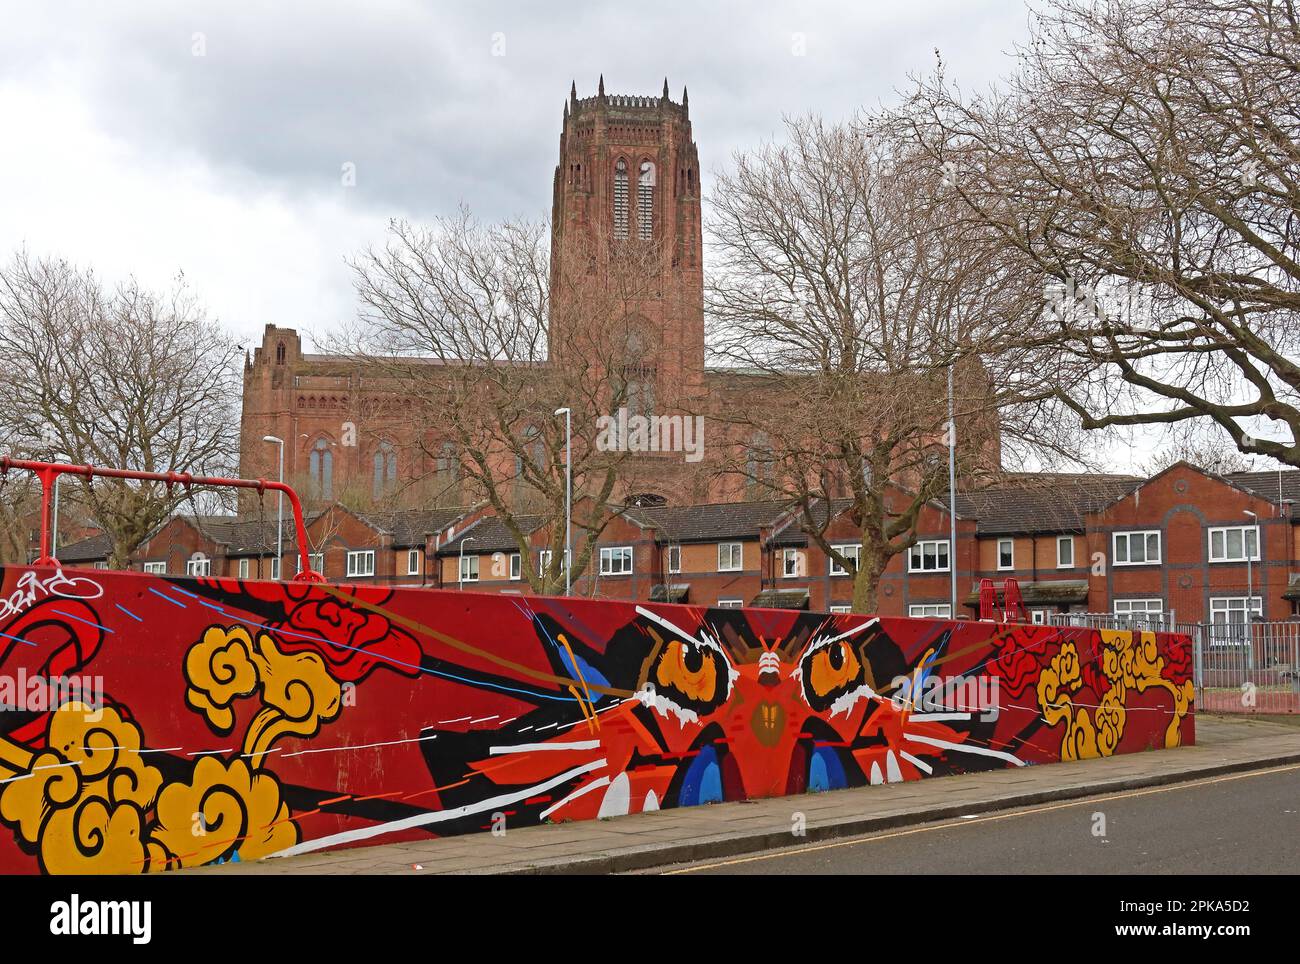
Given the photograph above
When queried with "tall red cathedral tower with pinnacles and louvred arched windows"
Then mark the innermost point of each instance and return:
(627, 199)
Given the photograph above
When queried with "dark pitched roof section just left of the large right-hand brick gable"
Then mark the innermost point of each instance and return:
(1042, 503)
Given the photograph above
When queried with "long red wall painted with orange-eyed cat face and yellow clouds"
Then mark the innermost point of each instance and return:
(154, 724)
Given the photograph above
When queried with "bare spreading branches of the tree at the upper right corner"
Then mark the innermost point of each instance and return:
(1145, 160)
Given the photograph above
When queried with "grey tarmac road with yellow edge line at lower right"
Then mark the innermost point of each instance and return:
(1237, 824)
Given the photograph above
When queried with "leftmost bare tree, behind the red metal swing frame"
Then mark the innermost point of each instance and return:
(124, 377)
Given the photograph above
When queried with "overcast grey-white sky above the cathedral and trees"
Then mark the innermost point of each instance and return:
(153, 138)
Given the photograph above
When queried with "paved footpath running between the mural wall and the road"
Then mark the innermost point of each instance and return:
(639, 841)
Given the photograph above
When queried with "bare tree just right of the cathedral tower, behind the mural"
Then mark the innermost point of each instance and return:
(846, 301)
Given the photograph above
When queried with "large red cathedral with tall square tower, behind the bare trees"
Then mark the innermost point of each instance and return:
(629, 172)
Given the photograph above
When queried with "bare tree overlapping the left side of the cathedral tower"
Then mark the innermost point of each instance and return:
(480, 337)
